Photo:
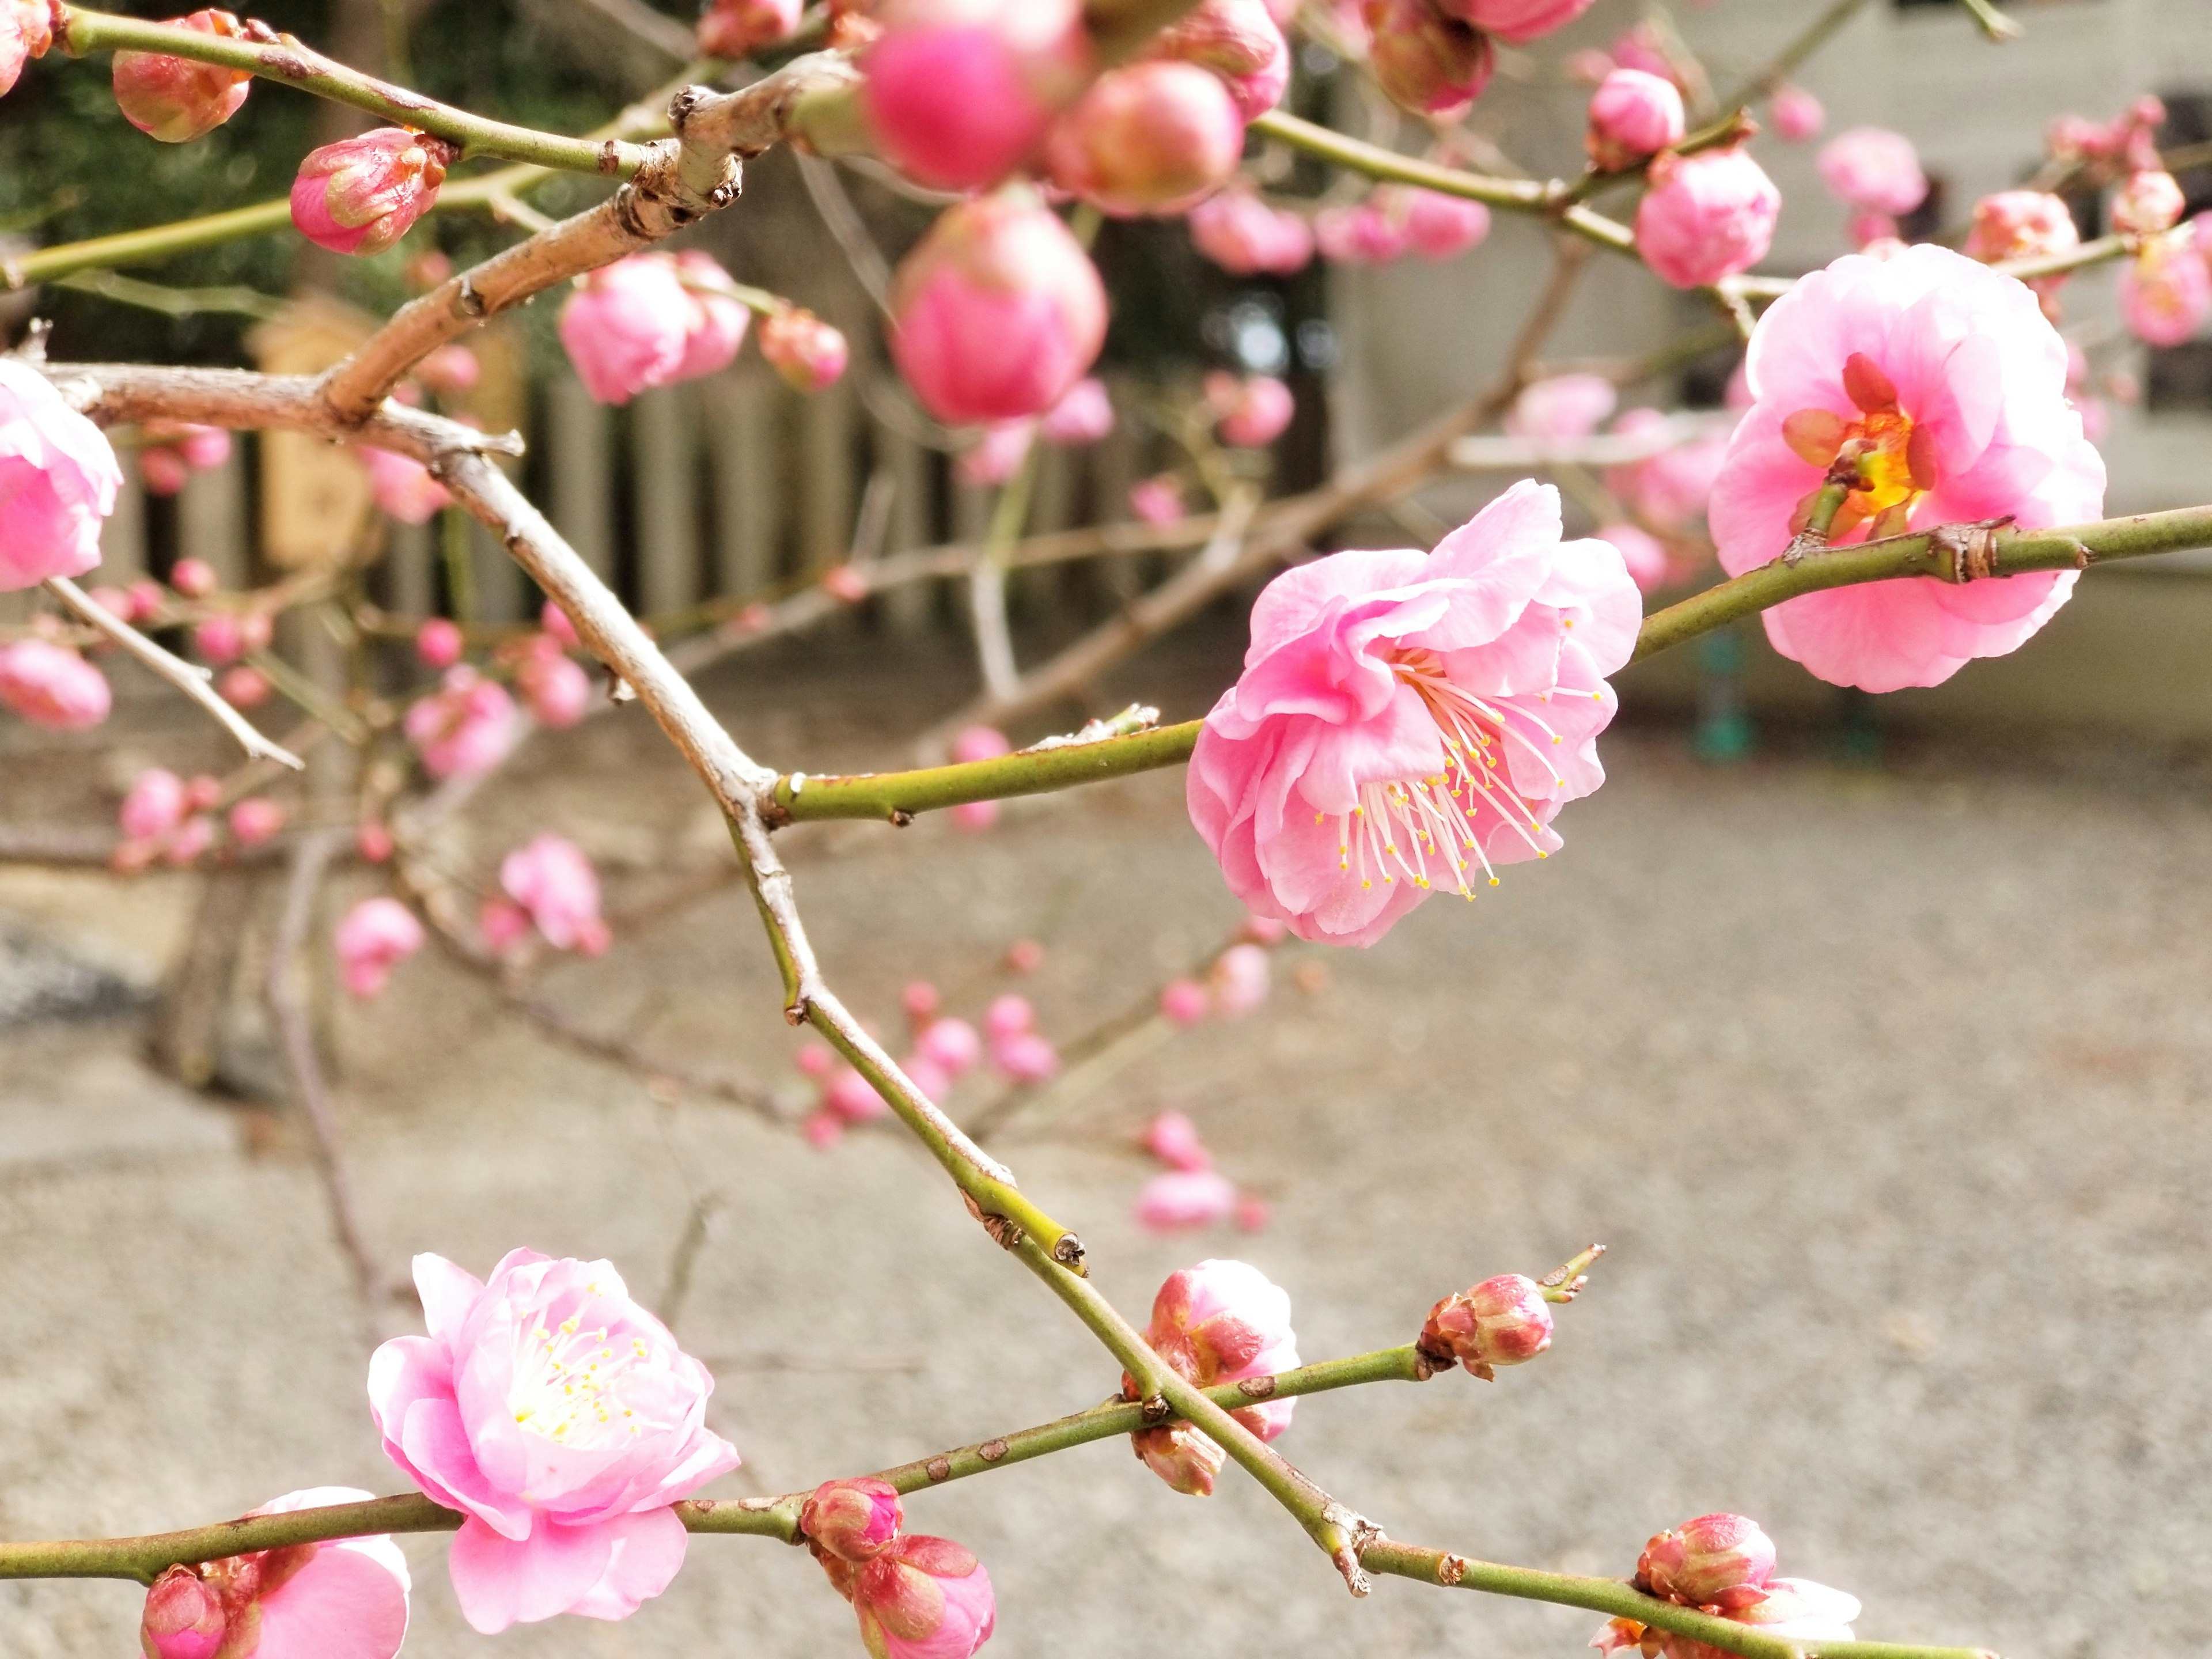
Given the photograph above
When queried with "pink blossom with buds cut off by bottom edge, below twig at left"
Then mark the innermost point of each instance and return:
(344, 1598)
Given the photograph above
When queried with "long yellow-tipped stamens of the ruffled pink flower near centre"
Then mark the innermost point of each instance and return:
(1437, 828)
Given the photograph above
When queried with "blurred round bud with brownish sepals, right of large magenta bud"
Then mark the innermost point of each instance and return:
(1149, 138)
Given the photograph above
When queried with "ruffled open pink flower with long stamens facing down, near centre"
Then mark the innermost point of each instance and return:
(1412, 720)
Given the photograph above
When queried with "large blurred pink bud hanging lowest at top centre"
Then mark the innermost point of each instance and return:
(997, 313)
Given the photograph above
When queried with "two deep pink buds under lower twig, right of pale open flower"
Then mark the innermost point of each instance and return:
(917, 1596)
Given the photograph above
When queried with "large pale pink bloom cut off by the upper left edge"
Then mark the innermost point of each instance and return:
(59, 479)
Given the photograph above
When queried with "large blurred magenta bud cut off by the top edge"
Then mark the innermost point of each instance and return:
(963, 92)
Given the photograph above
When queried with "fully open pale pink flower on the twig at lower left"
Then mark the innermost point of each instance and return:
(563, 1419)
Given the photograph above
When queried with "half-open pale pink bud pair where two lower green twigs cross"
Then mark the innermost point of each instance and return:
(1222, 1322)
